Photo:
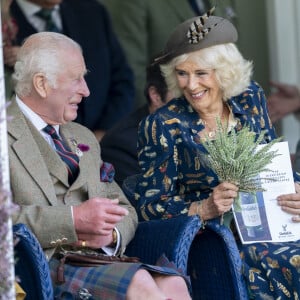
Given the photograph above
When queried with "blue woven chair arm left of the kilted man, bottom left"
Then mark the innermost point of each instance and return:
(31, 265)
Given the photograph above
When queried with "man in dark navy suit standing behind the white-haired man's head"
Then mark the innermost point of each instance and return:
(87, 22)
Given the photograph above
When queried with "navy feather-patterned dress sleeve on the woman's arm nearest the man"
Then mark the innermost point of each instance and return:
(156, 192)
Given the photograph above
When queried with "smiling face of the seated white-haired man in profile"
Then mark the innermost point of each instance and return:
(61, 104)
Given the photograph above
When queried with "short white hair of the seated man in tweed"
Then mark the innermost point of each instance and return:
(40, 53)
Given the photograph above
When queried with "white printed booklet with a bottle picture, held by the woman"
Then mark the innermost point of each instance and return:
(258, 217)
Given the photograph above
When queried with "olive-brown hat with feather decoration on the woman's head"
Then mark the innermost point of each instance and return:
(198, 33)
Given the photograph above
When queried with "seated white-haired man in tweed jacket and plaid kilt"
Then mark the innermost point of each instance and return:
(55, 178)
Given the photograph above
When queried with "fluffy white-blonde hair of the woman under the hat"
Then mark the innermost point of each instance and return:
(233, 72)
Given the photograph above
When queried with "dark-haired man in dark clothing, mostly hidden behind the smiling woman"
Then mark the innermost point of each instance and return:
(118, 145)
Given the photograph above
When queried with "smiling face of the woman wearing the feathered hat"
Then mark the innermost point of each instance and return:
(199, 86)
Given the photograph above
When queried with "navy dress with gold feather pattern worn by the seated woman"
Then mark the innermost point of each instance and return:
(171, 157)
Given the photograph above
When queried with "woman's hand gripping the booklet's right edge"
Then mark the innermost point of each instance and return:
(291, 203)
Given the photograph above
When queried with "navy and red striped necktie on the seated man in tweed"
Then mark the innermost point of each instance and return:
(69, 158)
